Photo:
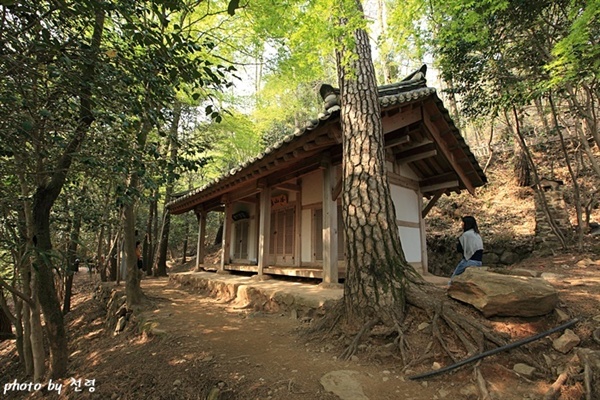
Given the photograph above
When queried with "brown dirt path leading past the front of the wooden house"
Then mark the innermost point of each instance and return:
(255, 354)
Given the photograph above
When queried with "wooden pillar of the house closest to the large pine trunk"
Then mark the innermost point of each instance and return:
(330, 237)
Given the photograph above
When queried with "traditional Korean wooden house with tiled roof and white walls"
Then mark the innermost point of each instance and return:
(283, 208)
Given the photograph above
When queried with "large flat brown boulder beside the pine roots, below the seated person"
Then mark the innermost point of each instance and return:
(503, 295)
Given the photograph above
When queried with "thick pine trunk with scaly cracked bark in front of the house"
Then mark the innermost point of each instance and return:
(376, 274)
